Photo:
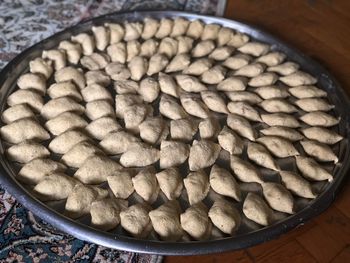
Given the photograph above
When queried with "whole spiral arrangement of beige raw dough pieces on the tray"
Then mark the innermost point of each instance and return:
(207, 76)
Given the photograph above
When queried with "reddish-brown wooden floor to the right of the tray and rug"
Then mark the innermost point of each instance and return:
(320, 29)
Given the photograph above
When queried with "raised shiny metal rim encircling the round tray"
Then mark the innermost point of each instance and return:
(84, 232)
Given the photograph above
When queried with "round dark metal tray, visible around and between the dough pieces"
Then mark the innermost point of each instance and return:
(249, 233)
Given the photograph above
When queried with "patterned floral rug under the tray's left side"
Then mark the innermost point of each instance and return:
(24, 237)
